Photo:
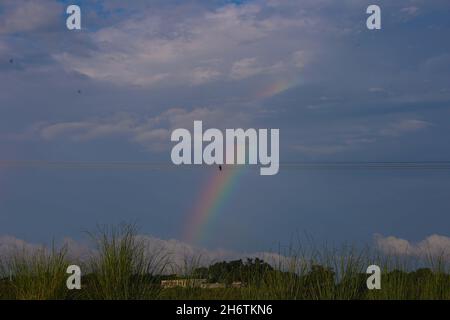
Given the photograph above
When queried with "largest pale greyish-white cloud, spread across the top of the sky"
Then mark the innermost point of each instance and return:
(187, 51)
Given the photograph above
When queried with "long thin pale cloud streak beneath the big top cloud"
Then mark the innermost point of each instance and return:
(153, 133)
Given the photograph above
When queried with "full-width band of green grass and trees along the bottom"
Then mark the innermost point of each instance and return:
(122, 268)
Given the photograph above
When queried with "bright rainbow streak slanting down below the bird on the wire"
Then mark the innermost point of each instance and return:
(210, 202)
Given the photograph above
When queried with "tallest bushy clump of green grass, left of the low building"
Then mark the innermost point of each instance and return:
(122, 267)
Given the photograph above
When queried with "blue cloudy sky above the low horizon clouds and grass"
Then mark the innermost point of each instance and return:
(115, 90)
